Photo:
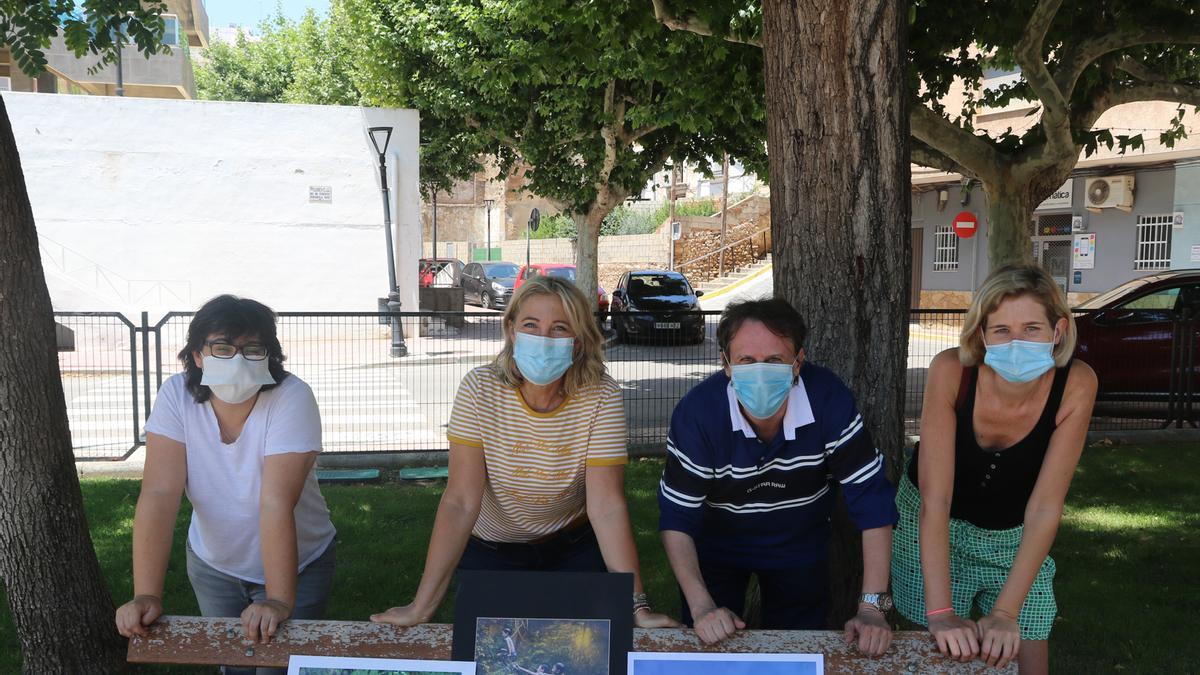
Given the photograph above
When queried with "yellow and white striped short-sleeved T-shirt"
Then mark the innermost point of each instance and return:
(536, 462)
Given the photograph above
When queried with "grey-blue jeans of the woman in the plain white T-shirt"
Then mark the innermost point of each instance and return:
(221, 595)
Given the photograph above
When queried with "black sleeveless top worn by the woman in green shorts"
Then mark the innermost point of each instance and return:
(992, 488)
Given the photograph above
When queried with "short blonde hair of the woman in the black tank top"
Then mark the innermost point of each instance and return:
(1015, 282)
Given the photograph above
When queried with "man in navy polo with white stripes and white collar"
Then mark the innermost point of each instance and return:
(753, 457)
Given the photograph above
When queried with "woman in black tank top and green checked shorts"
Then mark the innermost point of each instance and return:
(1003, 428)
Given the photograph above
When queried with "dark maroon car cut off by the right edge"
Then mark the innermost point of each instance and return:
(1126, 334)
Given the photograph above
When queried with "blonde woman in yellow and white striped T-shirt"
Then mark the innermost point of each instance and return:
(537, 458)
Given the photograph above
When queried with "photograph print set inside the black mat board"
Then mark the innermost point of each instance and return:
(542, 647)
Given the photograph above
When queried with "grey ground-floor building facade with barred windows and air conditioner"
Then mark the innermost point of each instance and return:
(1111, 223)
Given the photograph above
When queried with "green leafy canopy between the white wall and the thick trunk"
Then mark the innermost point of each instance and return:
(596, 97)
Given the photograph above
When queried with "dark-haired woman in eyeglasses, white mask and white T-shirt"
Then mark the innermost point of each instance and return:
(239, 437)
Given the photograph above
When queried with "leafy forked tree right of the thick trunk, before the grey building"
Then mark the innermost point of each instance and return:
(1076, 62)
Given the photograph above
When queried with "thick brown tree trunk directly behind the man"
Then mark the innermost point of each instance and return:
(838, 141)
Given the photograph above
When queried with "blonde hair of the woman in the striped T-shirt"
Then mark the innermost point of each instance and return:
(589, 368)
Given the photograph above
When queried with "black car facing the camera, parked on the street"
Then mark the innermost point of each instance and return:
(655, 303)
